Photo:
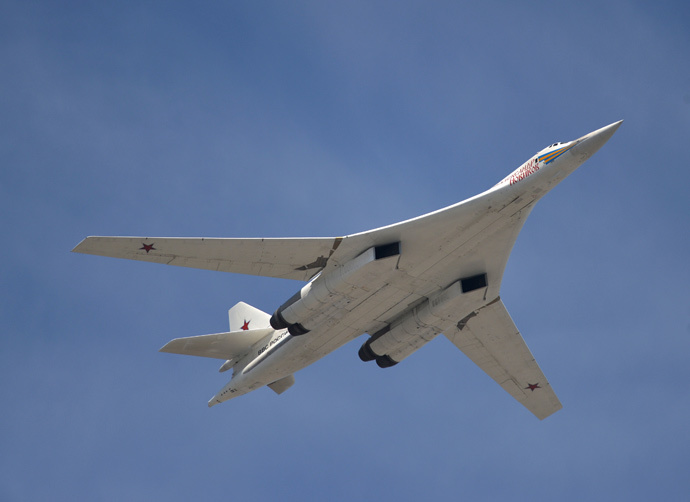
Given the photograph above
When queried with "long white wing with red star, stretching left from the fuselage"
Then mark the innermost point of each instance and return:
(285, 258)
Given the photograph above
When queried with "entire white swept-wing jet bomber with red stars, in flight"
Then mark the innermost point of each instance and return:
(403, 284)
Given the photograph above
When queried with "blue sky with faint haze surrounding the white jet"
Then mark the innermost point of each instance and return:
(250, 119)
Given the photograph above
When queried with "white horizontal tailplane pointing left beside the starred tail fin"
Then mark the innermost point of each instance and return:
(231, 345)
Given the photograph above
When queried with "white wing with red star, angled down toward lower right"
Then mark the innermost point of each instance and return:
(489, 337)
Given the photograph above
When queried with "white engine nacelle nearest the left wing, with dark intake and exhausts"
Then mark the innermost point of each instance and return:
(305, 310)
